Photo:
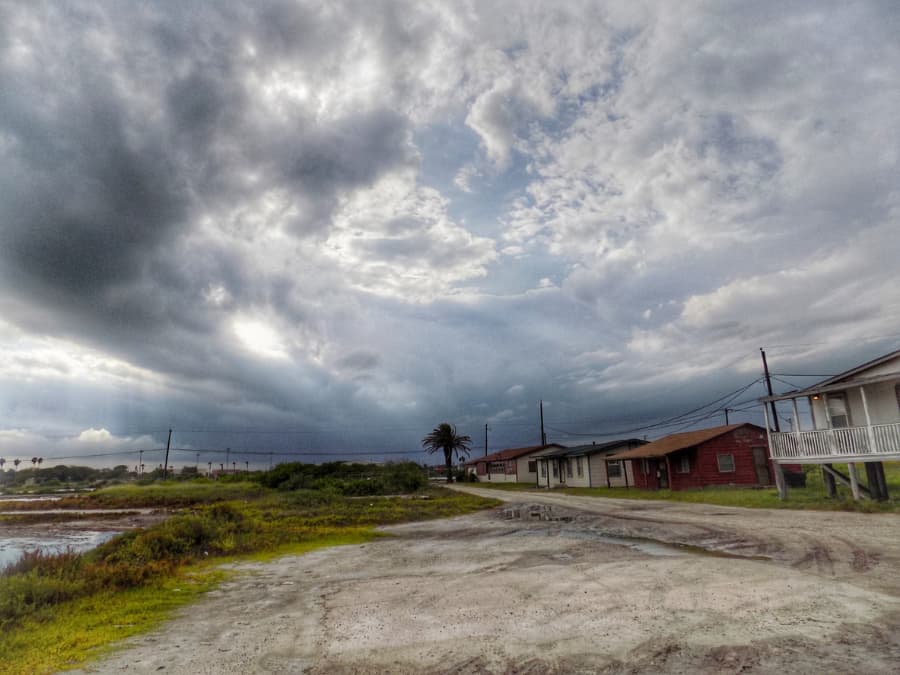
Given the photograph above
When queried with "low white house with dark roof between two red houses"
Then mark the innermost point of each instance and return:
(587, 465)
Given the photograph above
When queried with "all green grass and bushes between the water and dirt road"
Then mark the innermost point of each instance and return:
(57, 610)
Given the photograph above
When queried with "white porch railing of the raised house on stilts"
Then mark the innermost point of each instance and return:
(847, 444)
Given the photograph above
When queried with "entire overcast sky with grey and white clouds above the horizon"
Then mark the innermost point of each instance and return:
(344, 223)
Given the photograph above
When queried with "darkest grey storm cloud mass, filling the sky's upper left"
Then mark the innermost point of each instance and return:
(109, 159)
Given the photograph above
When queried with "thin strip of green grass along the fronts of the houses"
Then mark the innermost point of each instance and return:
(810, 497)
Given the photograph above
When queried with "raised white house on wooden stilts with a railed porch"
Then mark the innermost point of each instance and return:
(855, 418)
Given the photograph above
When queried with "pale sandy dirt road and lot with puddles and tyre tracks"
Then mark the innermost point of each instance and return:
(530, 589)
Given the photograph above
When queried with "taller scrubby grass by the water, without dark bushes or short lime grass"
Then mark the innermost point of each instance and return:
(40, 588)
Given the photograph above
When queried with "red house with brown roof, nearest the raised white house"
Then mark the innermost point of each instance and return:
(736, 454)
